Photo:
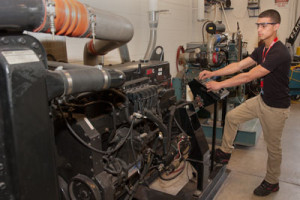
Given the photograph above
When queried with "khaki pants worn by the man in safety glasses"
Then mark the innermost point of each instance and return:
(272, 121)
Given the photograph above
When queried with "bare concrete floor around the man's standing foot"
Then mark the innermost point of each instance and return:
(248, 166)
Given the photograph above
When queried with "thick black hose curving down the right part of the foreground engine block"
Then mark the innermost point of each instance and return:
(162, 127)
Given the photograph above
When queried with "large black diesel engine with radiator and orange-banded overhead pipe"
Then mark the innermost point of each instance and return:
(90, 131)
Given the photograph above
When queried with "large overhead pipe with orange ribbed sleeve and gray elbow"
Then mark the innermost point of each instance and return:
(69, 18)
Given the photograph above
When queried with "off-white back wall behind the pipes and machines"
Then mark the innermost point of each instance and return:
(179, 25)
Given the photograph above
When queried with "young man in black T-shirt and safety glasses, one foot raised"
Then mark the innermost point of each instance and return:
(271, 106)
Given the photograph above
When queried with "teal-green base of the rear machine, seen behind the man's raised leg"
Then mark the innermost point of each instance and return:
(247, 135)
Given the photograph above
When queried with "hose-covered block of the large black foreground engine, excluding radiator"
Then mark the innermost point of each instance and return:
(110, 142)
